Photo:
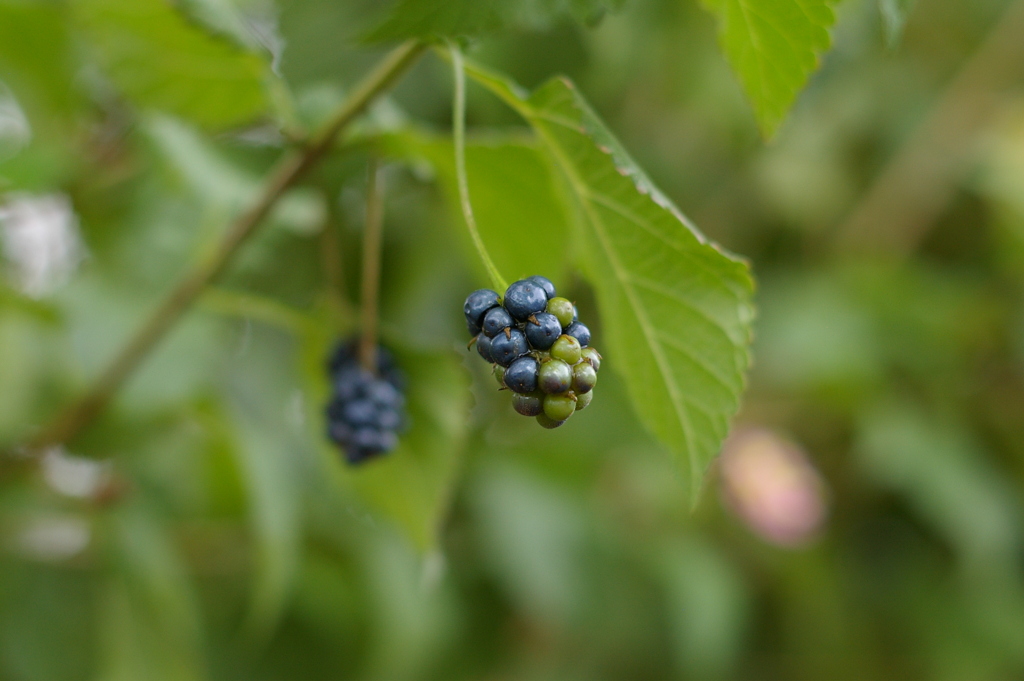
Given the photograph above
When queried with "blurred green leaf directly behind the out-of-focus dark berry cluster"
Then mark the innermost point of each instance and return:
(412, 486)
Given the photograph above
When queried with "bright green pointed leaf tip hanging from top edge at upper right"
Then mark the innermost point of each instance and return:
(774, 47)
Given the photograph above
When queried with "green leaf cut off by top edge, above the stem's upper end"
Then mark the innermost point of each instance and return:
(426, 19)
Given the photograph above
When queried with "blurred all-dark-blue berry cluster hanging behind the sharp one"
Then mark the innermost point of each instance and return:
(367, 410)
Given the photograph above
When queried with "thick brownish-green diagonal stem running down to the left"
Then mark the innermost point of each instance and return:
(75, 418)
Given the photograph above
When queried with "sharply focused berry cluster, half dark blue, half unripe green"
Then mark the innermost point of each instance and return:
(539, 349)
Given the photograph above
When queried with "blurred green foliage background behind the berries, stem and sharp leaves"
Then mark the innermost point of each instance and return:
(864, 523)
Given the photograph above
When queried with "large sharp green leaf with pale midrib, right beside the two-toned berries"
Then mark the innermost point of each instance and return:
(676, 310)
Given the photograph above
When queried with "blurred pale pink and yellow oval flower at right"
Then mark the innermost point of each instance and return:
(770, 484)
